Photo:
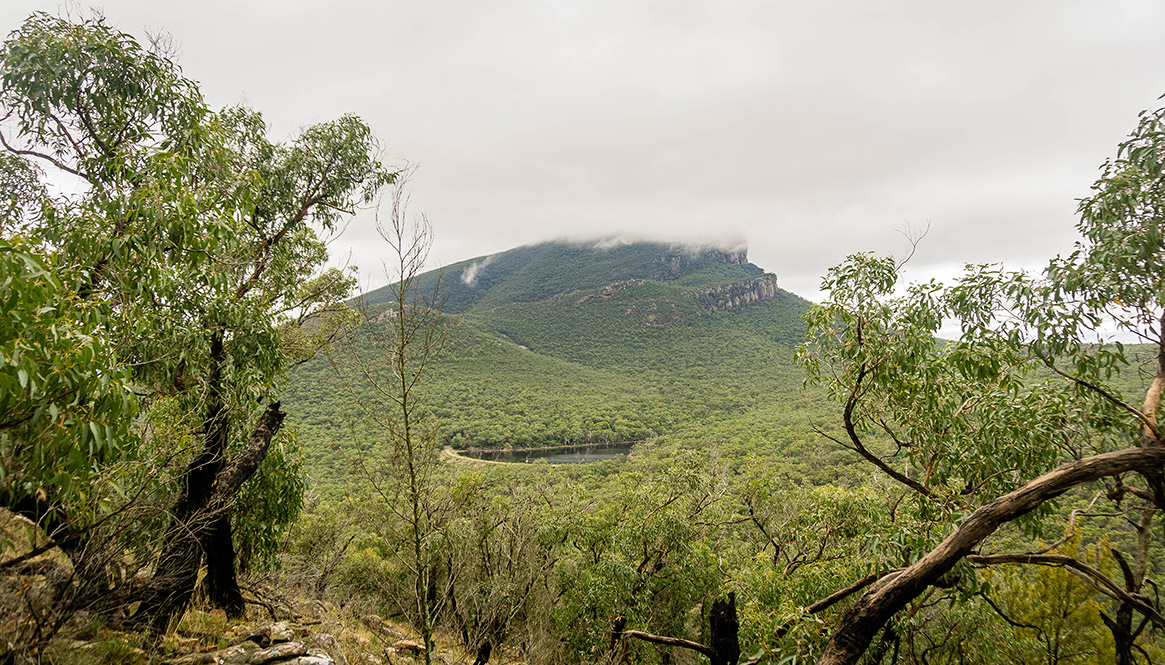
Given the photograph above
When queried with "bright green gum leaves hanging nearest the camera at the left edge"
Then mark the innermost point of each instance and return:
(62, 407)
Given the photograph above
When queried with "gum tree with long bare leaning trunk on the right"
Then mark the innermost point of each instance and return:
(992, 428)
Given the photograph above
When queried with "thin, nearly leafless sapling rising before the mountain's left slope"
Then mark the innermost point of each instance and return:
(385, 365)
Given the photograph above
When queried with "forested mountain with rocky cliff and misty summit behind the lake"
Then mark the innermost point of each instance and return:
(566, 343)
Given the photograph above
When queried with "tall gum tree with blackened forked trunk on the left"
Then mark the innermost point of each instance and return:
(202, 242)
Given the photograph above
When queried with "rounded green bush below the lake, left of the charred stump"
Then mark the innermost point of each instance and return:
(641, 558)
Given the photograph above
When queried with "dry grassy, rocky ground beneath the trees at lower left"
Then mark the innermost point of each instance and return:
(36, 629)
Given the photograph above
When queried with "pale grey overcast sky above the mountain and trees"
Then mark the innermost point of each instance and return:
(807, 130)
